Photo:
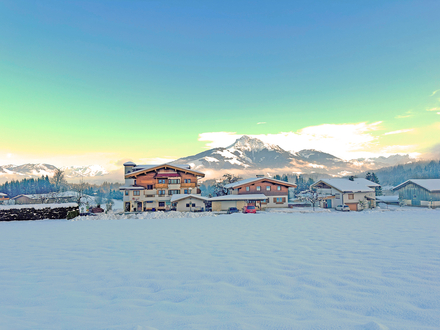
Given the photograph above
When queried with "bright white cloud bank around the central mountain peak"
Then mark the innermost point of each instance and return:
(343, 140)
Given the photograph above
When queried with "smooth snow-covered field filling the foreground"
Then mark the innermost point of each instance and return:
(367, 270)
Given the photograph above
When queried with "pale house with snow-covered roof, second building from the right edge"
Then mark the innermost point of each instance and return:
(358, 193)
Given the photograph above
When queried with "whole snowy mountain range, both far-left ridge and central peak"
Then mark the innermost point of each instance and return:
(245, 157)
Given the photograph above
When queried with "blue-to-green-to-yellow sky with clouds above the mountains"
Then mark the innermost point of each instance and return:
(100, 82)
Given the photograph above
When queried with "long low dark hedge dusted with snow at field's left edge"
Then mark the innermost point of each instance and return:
(35, 214)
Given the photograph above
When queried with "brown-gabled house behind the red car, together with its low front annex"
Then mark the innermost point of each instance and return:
(261, 192)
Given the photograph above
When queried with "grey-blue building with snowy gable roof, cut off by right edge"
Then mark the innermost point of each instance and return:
(420, 192)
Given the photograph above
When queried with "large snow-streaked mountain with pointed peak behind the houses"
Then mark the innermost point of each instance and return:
(252, 154)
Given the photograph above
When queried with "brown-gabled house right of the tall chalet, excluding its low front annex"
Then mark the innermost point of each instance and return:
(276, 191)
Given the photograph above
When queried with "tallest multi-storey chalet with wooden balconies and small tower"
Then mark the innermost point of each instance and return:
(151, 187)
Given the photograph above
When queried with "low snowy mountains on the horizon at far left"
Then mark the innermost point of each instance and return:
(37, 170)
